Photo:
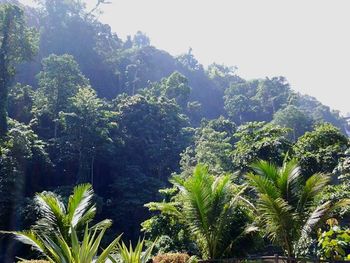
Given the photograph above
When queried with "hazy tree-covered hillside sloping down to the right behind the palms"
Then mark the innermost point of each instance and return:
(85, 106)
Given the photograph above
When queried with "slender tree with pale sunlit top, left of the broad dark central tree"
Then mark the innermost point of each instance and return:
(85, 131)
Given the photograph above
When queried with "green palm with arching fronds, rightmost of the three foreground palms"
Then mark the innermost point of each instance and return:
(286, 204)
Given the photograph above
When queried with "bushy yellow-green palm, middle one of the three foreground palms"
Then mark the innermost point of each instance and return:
(206, 205)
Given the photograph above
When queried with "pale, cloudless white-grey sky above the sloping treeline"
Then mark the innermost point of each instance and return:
(308, 42)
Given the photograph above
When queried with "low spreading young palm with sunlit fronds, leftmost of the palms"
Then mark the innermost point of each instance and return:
(56, 235)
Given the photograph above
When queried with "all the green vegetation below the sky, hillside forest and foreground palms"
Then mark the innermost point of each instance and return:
(93, 126)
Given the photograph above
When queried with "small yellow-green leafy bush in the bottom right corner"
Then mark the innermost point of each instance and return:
(334, 243)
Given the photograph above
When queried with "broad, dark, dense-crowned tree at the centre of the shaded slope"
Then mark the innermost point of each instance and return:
(153, 133)
